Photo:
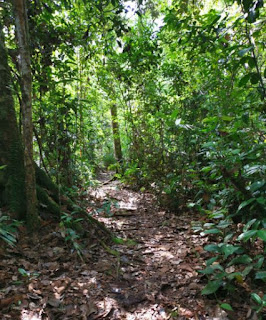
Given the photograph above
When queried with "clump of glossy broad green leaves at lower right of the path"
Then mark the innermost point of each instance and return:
(238, 258)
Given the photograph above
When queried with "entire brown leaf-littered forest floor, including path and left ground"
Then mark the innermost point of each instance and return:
(153, 274)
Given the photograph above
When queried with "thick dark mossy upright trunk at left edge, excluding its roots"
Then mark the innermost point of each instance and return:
(12, 177)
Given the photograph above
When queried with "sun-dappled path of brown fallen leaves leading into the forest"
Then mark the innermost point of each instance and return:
(155, 275)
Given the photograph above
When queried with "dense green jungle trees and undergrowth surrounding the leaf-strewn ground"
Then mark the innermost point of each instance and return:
(169, 96)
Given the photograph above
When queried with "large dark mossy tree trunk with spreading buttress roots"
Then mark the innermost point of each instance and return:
(12, 175)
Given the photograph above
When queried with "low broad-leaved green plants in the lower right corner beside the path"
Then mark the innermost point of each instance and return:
(233, 264)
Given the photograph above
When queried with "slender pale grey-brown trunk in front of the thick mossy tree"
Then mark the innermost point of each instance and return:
(26, 93)
